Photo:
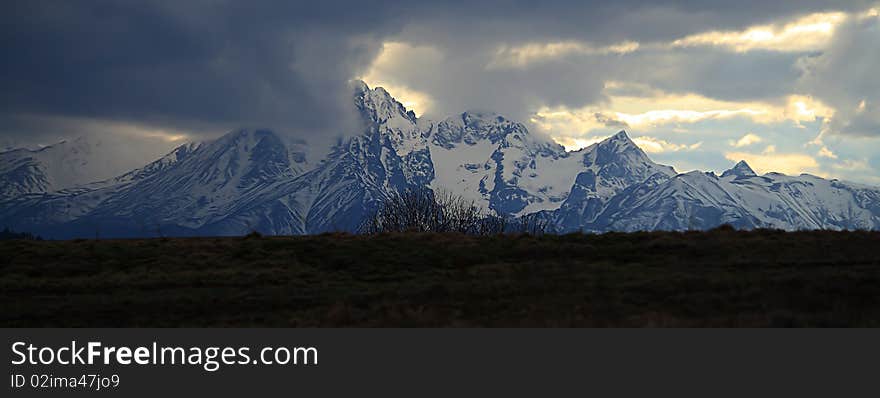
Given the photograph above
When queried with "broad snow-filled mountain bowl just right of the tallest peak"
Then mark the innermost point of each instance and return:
(499, 164)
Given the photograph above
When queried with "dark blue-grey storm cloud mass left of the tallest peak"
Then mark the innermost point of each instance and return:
(177, 64)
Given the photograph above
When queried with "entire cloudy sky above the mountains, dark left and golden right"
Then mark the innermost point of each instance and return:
(788, 86)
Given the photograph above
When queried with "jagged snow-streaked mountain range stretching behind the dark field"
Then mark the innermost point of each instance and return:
(258, 180)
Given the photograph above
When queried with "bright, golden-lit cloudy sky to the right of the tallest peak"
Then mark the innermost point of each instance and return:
(790, 89)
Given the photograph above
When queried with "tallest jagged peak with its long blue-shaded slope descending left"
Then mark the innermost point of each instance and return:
(389, 156)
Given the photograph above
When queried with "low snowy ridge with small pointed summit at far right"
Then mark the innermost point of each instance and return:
(698, 200)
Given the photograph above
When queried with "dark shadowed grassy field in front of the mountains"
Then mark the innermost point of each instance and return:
(716, 278)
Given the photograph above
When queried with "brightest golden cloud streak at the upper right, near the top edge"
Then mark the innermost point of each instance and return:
(810, 33)
